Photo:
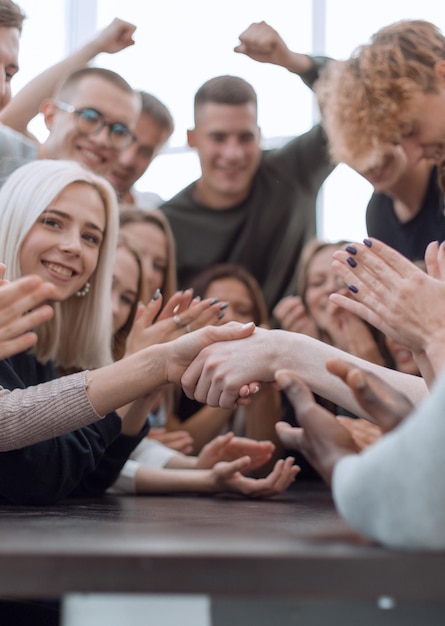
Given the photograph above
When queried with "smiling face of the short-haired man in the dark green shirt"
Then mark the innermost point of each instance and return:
(227, 139)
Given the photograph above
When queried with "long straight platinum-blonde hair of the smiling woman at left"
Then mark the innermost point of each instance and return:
(79, 333)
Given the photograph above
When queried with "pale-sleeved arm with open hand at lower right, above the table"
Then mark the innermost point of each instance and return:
(392, 491)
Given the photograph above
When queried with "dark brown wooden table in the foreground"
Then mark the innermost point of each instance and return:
(291, 551)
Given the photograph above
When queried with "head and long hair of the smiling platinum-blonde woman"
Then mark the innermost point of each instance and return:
(57, 231)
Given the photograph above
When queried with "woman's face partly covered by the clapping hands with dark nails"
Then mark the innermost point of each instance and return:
(321, 282)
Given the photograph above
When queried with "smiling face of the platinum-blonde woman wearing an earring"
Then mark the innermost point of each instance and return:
(63, 245)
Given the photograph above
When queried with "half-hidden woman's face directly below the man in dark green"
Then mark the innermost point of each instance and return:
(234, 292)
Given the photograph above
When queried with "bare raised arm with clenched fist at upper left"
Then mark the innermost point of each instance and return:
(25, 105)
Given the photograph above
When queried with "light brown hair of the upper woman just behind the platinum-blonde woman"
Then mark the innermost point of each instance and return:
(156, 217)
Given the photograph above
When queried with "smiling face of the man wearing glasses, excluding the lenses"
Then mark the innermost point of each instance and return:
(95, 151)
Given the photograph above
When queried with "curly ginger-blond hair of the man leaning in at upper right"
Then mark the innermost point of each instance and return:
(366, 101)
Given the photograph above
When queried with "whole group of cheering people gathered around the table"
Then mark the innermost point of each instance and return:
(119, 310)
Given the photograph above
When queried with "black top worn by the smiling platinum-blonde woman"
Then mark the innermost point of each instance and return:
(84, 462)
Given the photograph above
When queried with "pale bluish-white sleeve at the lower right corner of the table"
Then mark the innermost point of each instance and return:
(394, 491)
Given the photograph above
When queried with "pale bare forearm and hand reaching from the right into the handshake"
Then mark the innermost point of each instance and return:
(219, 371)
